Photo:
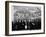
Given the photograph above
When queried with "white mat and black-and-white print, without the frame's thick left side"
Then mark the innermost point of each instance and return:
(26, 18)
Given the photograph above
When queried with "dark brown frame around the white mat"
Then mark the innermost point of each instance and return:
(7, 17)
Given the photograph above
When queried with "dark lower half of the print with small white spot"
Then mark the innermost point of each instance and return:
(26, 25)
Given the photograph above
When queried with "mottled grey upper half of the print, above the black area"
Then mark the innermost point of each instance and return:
(24, 12)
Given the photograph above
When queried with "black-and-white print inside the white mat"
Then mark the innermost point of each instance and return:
(26, 18)
